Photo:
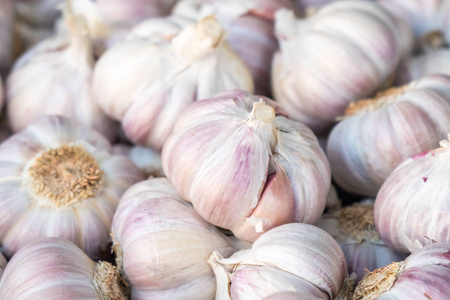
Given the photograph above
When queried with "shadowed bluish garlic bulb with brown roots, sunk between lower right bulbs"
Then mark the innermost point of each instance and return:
(354, 229)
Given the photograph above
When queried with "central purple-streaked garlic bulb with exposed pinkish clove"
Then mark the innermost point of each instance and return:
(245, 166)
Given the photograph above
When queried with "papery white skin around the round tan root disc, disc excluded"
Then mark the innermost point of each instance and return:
(26, 216)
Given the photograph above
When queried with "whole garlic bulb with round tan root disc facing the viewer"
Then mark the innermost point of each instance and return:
(60, 180)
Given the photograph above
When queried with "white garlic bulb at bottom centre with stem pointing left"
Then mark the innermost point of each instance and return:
(294, 257)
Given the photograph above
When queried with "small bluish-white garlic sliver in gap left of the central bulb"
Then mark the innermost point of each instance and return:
(146, 159)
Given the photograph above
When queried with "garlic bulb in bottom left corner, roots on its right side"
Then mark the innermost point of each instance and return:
(55, 269)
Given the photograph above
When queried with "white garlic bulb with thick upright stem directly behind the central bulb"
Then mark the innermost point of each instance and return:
(147, 83)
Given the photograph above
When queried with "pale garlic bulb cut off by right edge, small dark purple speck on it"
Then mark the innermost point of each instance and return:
(412, 208)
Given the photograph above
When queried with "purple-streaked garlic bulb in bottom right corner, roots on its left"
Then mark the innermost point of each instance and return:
(423, 275)
